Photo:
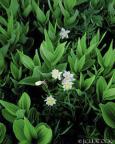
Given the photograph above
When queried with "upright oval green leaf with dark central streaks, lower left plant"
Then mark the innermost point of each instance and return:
(24, 102)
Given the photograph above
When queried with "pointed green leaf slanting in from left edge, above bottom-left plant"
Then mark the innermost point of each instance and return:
(11, 108)
